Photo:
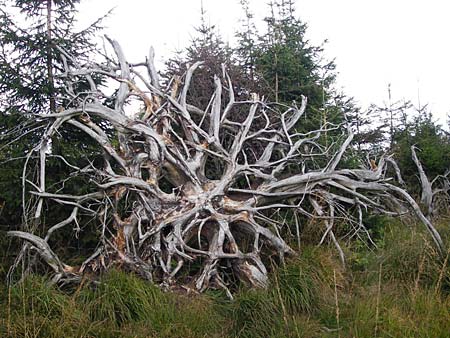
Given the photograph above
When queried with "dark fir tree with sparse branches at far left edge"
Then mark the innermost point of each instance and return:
(31, 33)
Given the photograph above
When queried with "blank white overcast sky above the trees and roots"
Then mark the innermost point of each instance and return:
(374, 43)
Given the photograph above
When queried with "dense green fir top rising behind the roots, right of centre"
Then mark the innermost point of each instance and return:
(288, 62)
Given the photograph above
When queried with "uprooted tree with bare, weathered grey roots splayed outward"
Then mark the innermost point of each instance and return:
(190, 196)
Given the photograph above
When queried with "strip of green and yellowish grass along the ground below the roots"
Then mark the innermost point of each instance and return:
(399, 289)
